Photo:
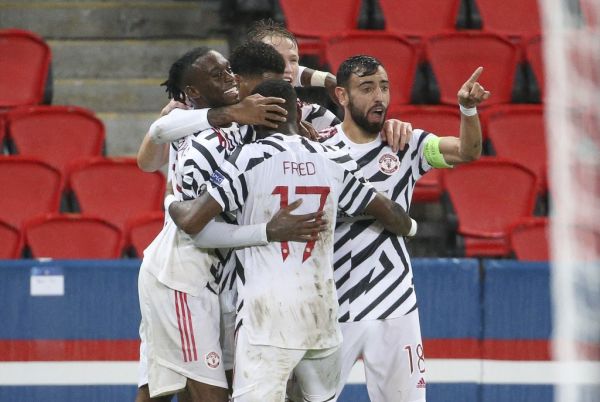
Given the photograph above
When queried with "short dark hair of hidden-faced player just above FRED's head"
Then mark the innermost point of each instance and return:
(254, 58)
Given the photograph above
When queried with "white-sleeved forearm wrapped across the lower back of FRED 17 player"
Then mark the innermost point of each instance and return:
(226, 235)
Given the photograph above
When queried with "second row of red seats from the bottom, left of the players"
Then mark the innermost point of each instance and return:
(113, 189)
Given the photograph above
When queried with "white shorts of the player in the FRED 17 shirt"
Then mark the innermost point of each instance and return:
(261, 372)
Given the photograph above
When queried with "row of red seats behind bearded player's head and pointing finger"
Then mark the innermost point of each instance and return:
(452, 56)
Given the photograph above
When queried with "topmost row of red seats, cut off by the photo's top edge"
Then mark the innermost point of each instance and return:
(408, 17)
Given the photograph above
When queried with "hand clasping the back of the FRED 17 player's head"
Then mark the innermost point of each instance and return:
(259, 110)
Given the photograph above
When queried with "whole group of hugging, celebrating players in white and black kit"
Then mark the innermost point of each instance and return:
(282, 259)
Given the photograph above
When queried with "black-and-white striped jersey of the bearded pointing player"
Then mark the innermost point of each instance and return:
(373, 273)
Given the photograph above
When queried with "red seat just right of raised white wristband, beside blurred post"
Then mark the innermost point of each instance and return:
(517, 132)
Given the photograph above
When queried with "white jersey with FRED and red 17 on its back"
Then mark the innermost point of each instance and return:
(286, 292)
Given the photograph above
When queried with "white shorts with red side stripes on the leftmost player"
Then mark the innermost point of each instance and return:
(182, 336)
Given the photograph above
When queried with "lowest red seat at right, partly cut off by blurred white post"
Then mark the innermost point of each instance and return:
(529, 239)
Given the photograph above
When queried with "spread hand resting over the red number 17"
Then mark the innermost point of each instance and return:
(287, 227)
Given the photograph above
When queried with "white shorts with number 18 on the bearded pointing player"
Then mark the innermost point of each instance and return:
(392, 353)
